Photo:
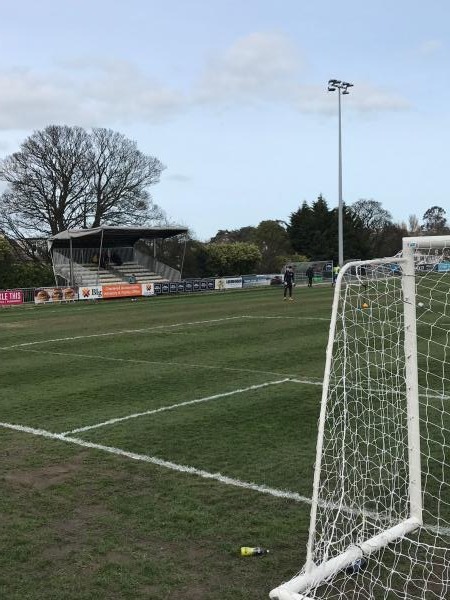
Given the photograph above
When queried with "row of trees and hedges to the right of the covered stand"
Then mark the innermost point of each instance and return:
(310, 234)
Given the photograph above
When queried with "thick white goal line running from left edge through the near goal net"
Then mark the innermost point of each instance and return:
(262, 489)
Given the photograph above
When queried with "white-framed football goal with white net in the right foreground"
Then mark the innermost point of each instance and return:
(380, 515)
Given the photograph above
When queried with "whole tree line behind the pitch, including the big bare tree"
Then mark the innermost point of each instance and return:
(66, 177)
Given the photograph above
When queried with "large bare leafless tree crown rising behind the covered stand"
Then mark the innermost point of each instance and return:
(64, 177)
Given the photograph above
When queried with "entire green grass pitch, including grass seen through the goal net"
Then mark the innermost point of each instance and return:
(89, 522)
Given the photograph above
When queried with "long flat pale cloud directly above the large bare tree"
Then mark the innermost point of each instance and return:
(87, 93)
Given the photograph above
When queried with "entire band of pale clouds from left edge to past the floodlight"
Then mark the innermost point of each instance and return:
(258, 68)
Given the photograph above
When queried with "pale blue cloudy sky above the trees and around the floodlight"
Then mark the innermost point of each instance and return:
(231, 96)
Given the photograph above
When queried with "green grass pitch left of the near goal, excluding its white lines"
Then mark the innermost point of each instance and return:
(83, 523)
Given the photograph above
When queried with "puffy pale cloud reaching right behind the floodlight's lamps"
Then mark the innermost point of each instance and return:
(266, 67)
